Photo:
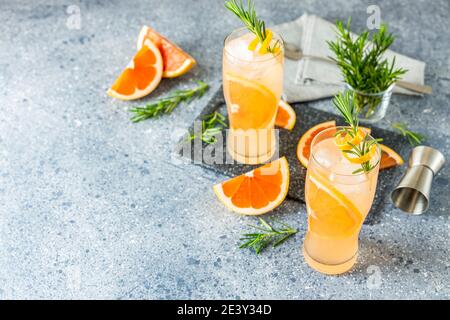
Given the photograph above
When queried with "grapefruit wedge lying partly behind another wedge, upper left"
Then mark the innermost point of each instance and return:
(176, 61)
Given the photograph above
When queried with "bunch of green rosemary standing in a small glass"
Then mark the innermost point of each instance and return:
(363, 67)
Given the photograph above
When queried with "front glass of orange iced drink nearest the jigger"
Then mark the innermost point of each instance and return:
(337, 202)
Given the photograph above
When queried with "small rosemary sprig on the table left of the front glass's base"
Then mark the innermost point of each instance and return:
(269, 235)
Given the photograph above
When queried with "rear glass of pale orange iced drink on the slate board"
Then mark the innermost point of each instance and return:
(252, 85)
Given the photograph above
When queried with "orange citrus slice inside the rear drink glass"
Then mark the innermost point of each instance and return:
(253, 105)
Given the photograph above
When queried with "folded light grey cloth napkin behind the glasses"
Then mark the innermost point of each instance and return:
(311, 78)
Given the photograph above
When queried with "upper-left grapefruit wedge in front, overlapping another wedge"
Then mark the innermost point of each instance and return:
(141, 76)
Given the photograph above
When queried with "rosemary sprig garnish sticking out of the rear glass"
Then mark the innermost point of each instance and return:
(247, 15)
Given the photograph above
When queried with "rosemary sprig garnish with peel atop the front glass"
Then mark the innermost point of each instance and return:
(345, 105)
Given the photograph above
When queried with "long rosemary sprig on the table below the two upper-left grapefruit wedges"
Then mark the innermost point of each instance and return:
(167, 104)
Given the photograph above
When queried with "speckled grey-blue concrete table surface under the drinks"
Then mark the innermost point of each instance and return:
(94, 206)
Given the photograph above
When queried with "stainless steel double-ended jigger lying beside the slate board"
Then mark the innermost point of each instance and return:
(412, 194)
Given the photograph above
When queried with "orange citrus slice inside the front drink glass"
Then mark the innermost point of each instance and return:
(331, 213)
